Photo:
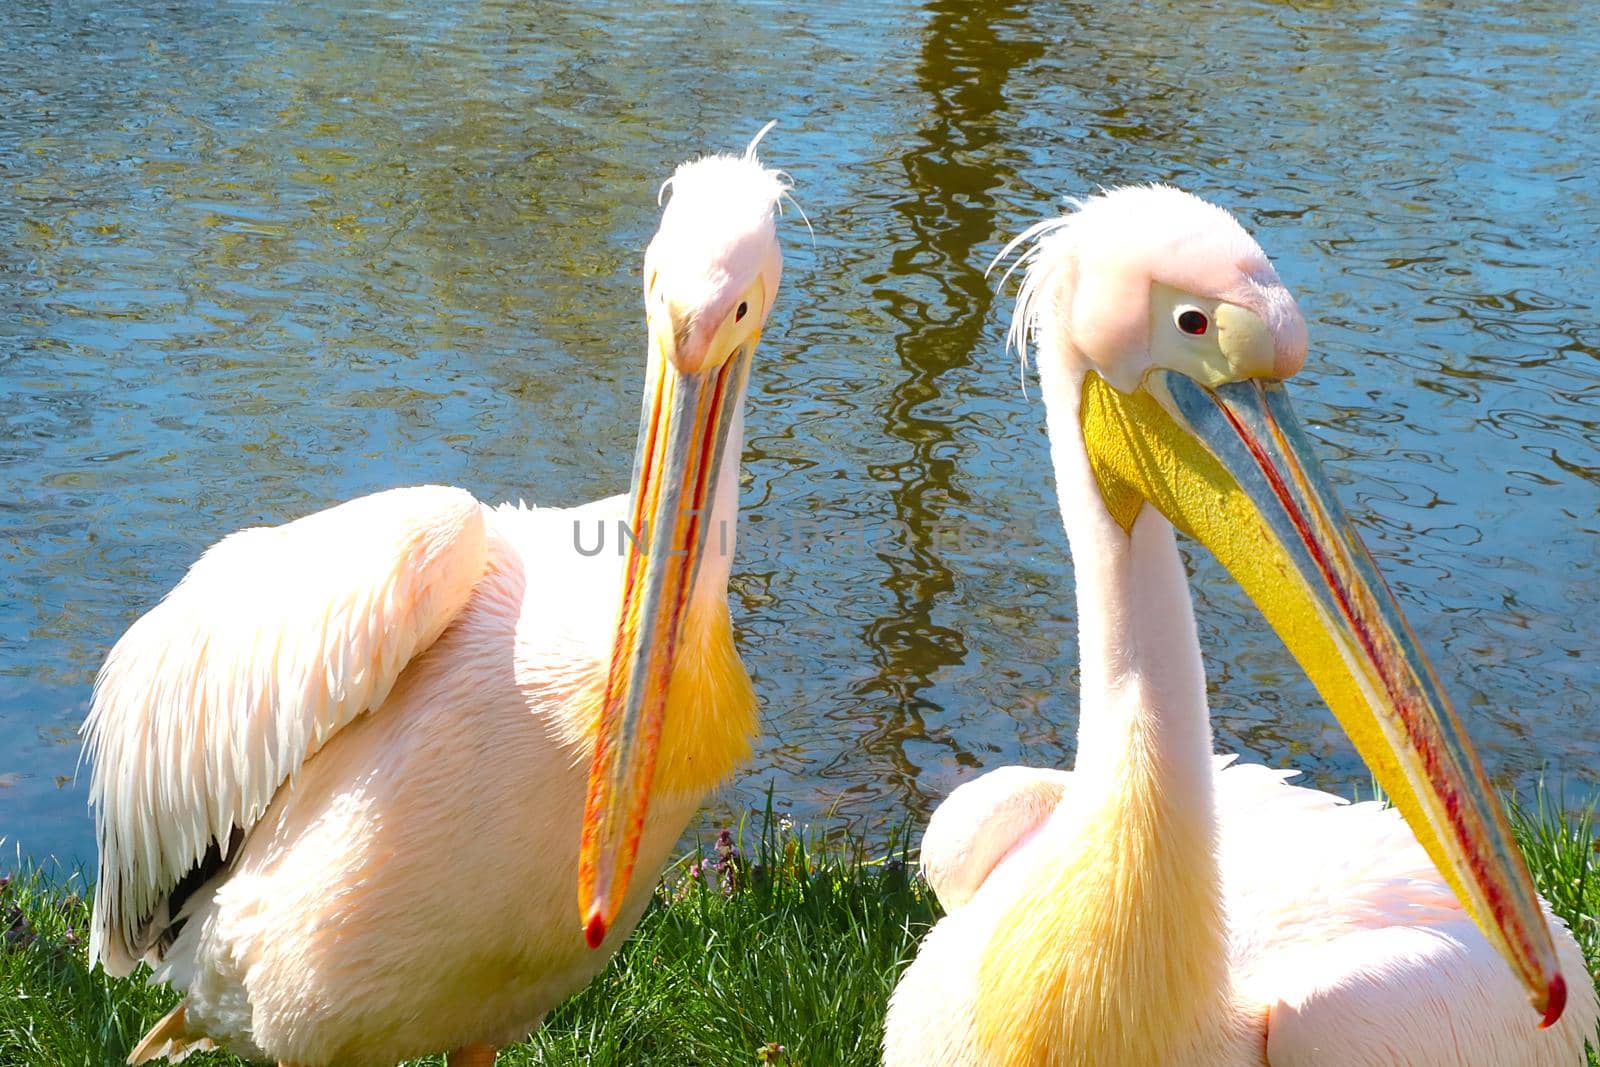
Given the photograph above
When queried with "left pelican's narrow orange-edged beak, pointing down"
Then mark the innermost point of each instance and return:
(679, 460)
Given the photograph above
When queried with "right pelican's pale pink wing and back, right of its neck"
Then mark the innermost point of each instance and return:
(1358, 951)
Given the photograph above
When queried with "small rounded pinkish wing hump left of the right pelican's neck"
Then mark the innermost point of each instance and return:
(982, 823)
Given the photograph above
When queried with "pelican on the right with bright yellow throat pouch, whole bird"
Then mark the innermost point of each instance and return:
(1153, 908)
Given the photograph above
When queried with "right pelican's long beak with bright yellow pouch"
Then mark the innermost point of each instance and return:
(1231, 468)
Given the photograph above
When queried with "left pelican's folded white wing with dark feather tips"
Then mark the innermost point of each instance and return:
(271, 644)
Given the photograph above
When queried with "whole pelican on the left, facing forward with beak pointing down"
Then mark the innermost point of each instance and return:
(340, 772)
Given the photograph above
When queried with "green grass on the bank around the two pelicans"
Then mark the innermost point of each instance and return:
(780, 954)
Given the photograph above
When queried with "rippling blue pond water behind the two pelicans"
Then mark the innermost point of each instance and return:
(260, 258)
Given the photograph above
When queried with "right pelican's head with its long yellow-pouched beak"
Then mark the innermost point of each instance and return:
(1166, 337)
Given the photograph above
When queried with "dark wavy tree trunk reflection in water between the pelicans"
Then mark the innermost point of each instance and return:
(937, 292)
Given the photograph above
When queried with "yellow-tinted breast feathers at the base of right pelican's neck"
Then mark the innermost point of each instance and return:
(1116, 949)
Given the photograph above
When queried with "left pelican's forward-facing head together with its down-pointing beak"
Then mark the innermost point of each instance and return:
(711, 278)
